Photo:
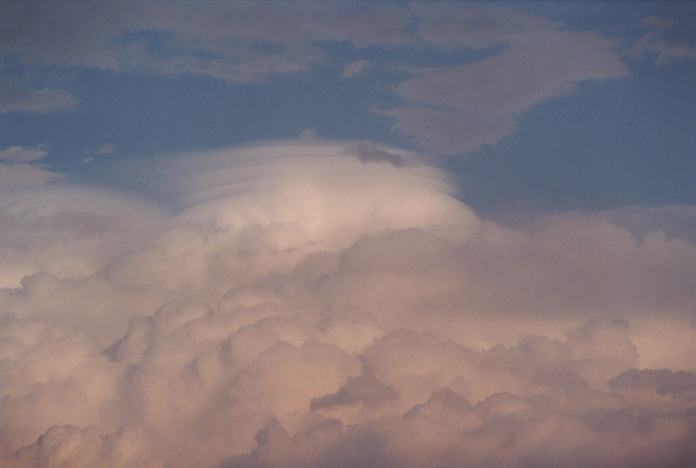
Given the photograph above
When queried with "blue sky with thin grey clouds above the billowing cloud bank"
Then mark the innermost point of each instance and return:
(539, 106)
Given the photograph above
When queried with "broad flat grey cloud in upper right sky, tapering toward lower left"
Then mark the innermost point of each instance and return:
(457, 109)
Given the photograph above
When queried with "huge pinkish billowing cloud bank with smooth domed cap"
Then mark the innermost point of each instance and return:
(295, 304)
